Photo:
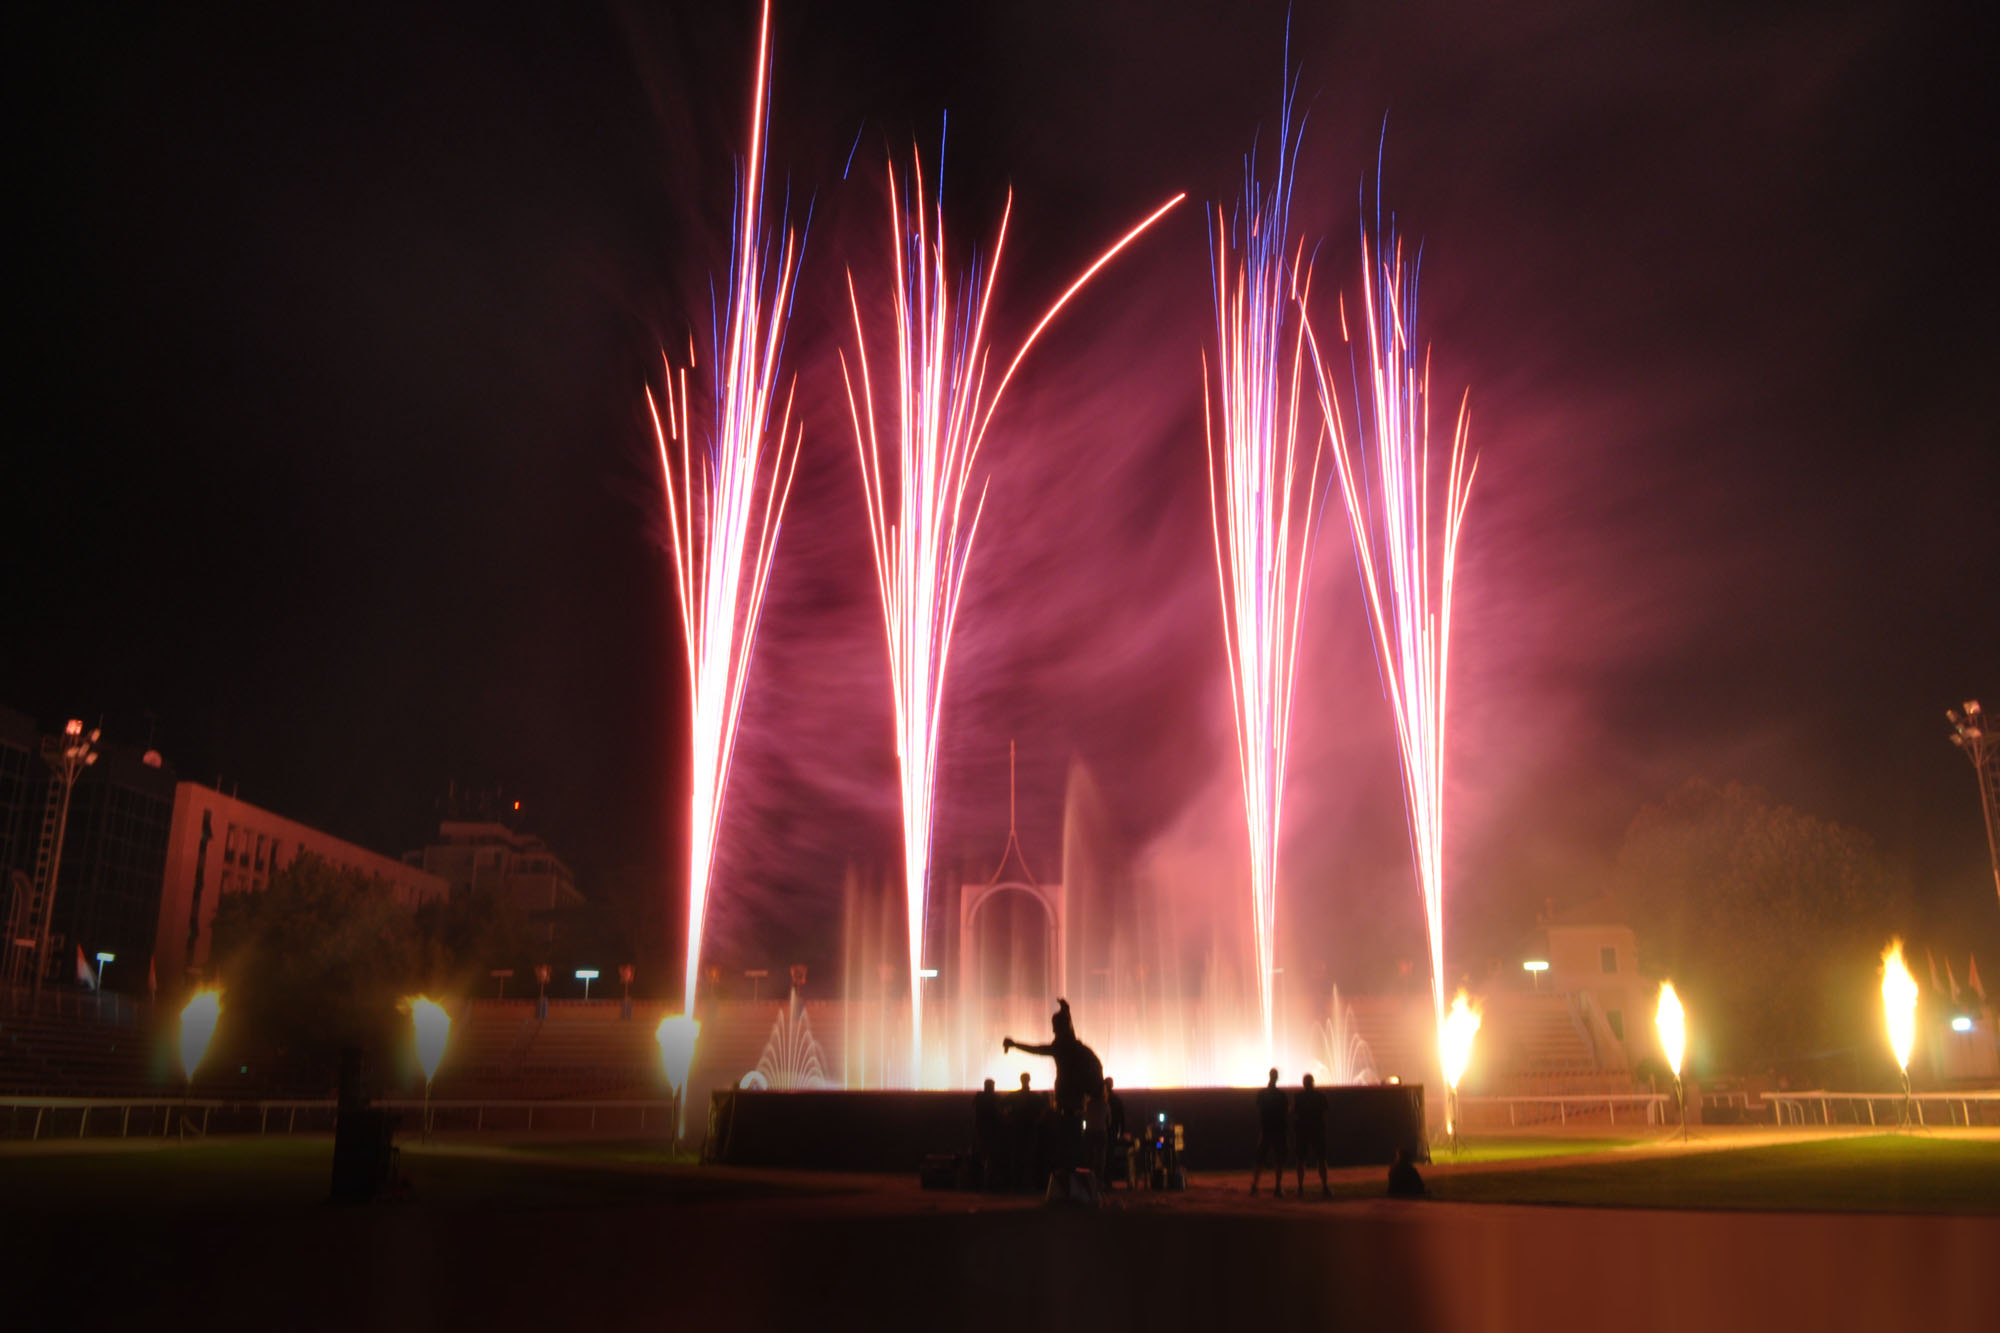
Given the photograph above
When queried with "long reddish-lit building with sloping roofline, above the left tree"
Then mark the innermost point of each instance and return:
(225, 846)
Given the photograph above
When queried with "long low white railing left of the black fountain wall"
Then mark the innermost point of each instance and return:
(159, 1116)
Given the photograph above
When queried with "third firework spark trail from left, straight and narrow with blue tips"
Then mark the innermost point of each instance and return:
(1263, 515)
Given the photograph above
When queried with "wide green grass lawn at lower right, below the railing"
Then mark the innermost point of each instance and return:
(1879, 1174)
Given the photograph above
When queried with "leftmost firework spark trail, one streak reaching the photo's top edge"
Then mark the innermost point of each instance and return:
(725, 505)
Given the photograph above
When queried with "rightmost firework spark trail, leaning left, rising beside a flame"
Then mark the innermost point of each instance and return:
(1405, 565)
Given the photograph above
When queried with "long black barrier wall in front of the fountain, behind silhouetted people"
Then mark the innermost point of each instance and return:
(895, 1132)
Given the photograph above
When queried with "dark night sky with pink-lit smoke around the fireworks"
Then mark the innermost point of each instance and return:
(335, 471)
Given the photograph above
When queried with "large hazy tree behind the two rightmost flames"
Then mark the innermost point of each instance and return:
(1771, 924)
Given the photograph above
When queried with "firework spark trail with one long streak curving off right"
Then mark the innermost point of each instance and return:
(923, 539)
